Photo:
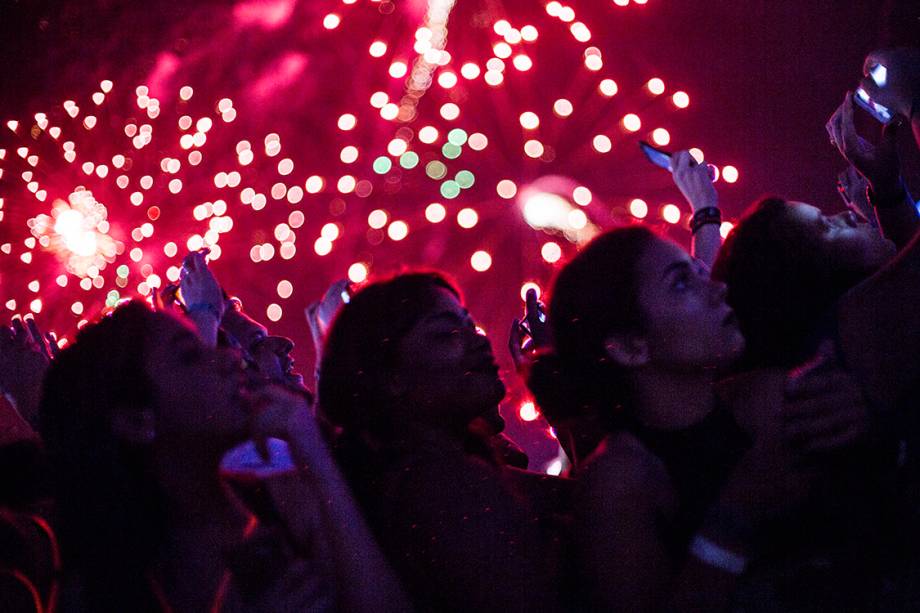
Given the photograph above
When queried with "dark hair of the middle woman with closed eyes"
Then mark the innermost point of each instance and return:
(360, 353)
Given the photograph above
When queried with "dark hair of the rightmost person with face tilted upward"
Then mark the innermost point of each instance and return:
(781, 283)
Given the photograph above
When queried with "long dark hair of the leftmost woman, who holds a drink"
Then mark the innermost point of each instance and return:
(110, 509)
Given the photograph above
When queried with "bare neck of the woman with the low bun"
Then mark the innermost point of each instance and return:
(671, 400)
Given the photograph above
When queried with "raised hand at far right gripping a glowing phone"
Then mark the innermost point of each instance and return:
(879, 163)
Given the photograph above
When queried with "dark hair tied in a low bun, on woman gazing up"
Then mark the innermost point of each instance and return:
(594, 295)
